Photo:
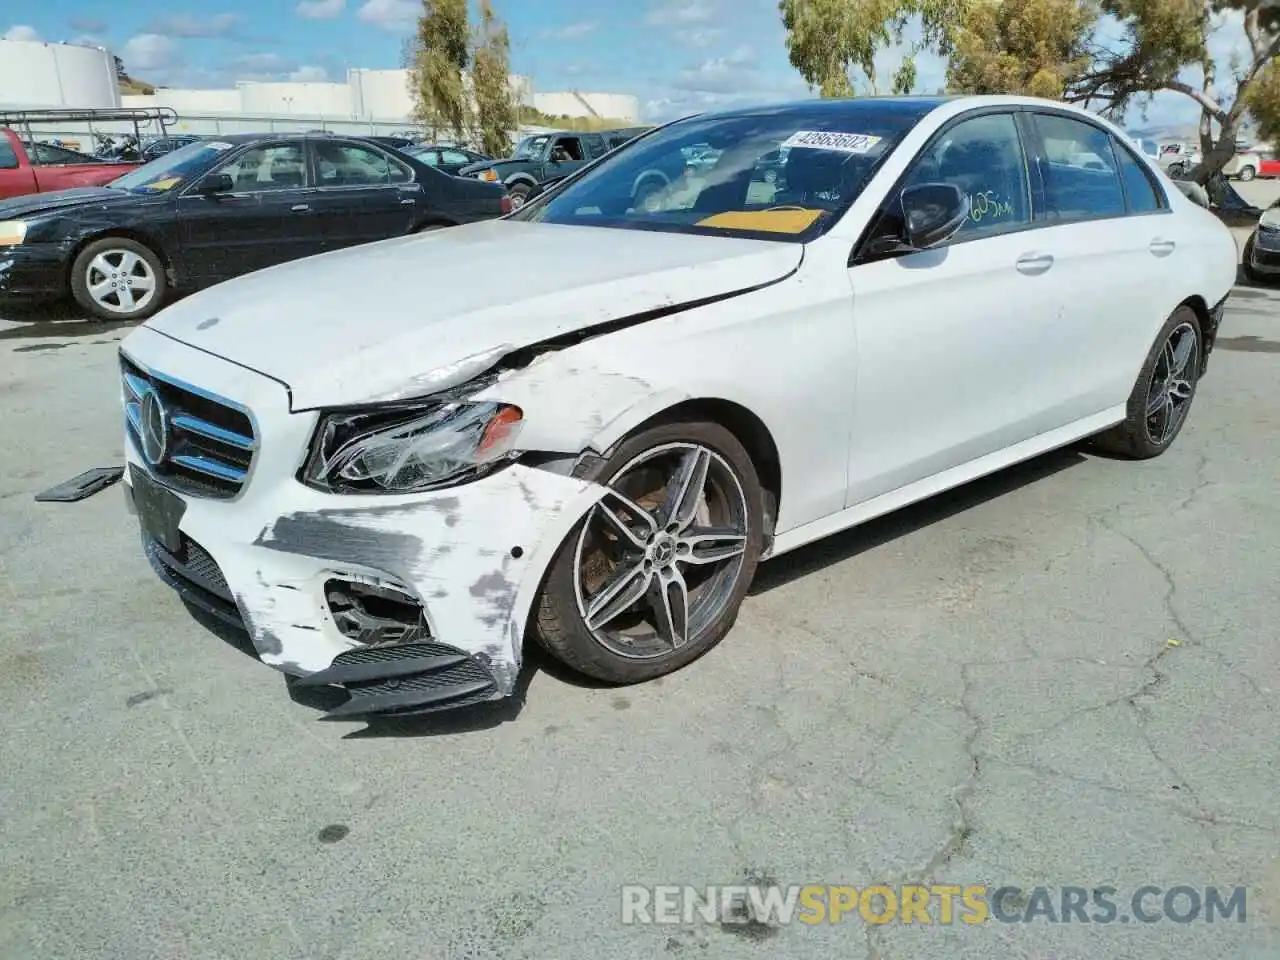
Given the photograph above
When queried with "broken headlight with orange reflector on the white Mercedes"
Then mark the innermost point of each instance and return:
(412, 450)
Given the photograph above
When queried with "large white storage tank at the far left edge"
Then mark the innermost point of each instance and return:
(57, 76)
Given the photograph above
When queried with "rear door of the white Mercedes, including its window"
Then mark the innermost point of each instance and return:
(1114, 246)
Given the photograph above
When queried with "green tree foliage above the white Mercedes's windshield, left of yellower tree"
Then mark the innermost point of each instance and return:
(828, 39)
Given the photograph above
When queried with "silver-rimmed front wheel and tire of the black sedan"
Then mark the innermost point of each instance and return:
(126, 266)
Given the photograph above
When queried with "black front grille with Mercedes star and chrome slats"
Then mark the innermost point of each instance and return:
(208, 442)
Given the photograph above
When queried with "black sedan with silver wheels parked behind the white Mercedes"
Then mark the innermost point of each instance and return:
(218, 209)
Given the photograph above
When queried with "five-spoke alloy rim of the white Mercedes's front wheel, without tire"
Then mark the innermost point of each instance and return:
(659, 559)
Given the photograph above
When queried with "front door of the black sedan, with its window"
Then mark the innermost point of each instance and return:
(266, 220)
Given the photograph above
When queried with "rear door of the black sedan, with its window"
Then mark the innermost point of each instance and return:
(364, 194)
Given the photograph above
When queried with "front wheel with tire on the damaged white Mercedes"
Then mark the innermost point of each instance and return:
(630, 643)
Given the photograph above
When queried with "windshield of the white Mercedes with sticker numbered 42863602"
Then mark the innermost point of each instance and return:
(785, 175)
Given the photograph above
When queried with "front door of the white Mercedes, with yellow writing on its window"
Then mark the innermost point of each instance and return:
(950, 340)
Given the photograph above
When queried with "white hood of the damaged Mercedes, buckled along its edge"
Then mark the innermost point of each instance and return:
(408, 317)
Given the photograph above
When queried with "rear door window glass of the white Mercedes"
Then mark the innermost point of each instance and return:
(1080, 170)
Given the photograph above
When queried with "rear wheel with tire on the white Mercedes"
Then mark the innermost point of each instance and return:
(1142, 437)
